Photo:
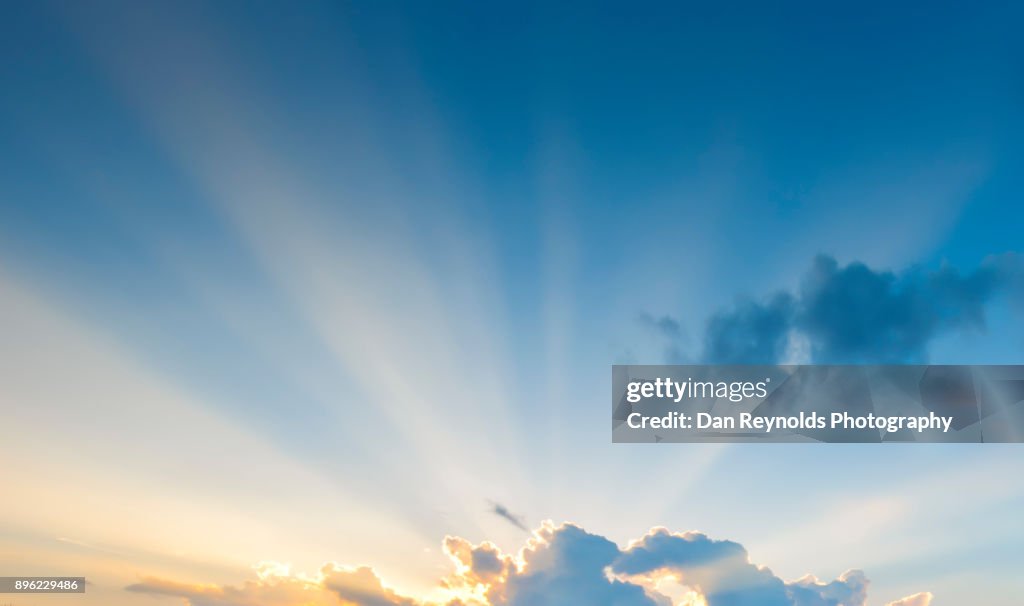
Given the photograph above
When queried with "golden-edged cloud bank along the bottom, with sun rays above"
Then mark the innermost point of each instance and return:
(561, 566)
